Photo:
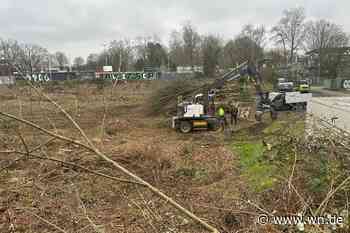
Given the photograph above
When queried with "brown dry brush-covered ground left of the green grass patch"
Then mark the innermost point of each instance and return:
(196, 170)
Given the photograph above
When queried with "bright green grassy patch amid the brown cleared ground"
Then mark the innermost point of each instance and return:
(260, 165)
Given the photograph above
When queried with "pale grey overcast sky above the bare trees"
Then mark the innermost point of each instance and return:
(80, 27)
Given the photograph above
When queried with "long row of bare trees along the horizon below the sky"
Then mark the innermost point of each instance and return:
(291, 35)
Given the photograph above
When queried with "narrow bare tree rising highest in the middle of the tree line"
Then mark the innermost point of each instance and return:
(191, 41)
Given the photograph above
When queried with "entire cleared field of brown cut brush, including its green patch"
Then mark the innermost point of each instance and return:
(225, 179)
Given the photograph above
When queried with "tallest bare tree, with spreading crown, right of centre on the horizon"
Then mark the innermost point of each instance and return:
(289, 32)
